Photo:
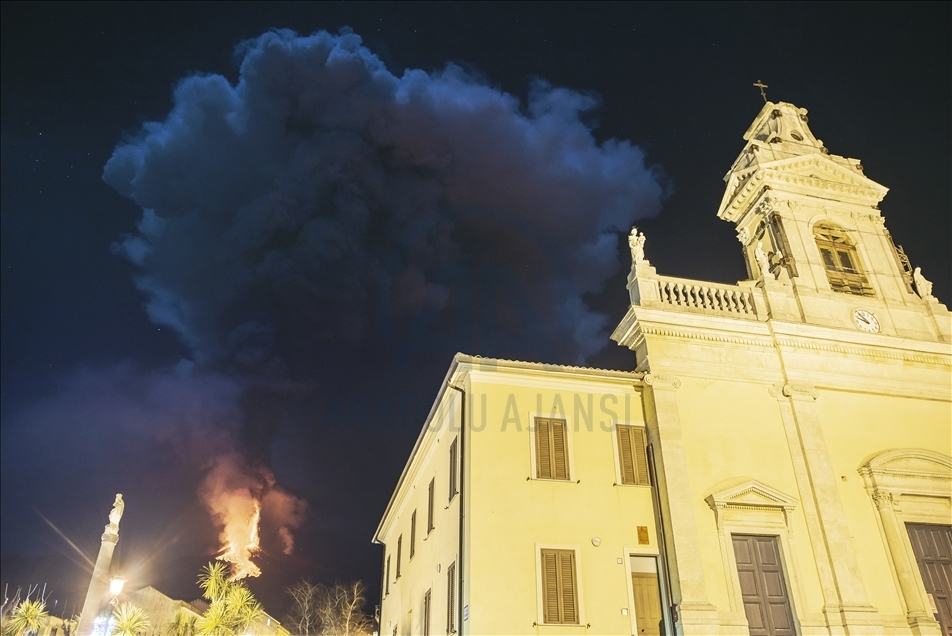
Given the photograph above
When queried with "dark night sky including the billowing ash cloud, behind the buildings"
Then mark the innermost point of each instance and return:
(325, 234)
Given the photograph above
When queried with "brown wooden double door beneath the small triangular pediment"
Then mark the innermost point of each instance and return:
(763, 586)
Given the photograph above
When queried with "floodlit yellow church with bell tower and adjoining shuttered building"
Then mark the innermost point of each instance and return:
(776, 464)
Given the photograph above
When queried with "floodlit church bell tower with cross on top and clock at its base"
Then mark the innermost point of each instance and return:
(812, 234)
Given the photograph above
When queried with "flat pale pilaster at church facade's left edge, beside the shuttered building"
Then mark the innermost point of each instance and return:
(696, 614)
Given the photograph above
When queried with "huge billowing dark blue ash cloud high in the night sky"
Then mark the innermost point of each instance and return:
(322, 190)
